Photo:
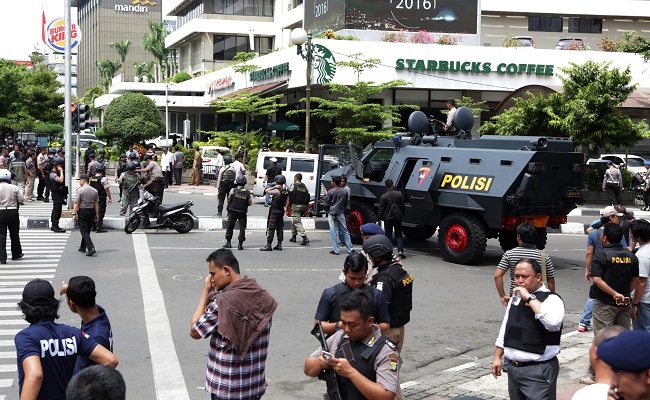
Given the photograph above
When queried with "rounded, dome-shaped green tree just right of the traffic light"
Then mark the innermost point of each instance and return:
(130, 118)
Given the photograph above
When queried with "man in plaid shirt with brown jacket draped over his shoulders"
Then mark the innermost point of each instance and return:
(239, 335)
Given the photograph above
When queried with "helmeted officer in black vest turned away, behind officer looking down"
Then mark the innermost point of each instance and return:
(394, 282)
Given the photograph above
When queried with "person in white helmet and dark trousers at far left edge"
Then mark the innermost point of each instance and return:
(10, 198)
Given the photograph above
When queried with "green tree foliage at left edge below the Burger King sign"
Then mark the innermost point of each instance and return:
(28, 97)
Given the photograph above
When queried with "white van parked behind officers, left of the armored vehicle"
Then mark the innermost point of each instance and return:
(291, 164)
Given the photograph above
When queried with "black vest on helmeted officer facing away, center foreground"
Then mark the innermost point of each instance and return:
(400, 306)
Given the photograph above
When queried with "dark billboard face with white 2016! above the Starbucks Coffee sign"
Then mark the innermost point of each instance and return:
(448, 16)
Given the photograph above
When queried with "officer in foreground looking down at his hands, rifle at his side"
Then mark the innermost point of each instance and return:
(366, 363)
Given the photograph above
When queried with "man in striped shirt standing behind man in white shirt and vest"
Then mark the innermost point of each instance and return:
(527, 238)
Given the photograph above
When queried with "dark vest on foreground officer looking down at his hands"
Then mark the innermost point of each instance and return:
(365, 363)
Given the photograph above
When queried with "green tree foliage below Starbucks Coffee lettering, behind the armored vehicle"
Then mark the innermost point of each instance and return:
(587, 110)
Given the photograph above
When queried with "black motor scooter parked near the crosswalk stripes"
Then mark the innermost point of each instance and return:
(178, 216)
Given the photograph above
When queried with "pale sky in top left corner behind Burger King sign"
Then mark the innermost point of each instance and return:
(20, 25)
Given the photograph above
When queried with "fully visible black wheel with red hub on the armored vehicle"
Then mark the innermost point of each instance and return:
(462, 238)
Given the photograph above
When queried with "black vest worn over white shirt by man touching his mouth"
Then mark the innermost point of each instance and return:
(525, 332)
